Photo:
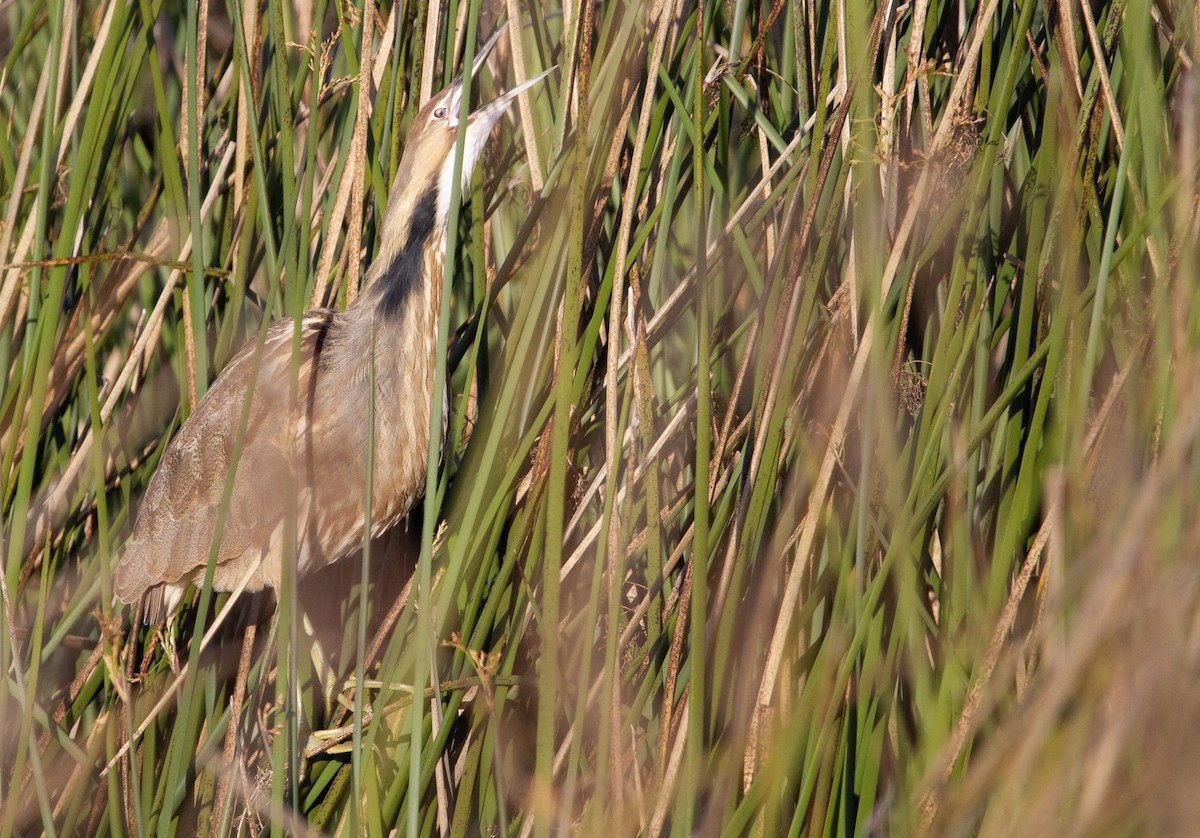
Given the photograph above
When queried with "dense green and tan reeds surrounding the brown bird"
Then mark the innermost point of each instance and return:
(853, 489)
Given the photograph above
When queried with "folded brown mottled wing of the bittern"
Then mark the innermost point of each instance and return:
(175, 531)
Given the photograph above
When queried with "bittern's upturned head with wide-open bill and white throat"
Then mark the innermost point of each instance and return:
(425, 179)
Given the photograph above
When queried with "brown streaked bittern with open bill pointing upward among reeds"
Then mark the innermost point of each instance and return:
(308, 456)
